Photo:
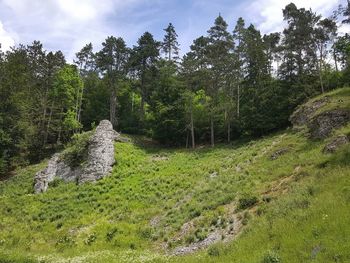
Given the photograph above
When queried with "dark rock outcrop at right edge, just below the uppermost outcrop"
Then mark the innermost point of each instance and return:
(323, 124)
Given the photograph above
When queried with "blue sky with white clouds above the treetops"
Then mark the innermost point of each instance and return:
(68, 25)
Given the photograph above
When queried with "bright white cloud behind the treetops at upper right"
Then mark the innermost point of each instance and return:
(267, 14)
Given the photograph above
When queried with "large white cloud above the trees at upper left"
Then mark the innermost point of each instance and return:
(64, 24)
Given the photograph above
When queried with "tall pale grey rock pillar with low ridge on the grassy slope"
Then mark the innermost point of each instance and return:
(99, 162)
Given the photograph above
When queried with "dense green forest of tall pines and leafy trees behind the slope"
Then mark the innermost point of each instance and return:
(234, 82)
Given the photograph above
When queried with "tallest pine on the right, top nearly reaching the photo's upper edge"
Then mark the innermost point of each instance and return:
(299, 67)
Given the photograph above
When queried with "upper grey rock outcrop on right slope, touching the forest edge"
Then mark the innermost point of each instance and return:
(304, 113)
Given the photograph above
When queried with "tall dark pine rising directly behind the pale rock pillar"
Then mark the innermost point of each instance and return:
(112, 60)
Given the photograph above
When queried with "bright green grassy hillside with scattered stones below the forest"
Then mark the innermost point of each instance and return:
(276, 199)
